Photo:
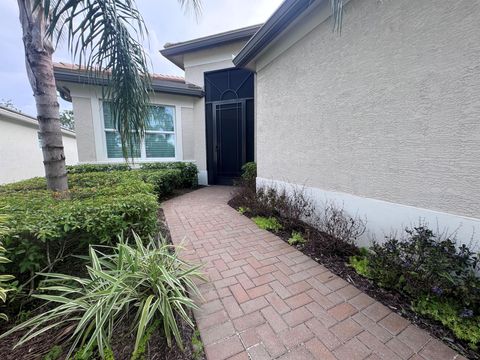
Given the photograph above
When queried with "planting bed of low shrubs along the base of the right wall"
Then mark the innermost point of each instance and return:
(425, 277)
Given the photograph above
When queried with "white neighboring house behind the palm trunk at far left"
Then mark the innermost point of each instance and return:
(20, 150)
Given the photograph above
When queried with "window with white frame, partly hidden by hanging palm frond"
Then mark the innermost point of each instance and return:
(159, 141)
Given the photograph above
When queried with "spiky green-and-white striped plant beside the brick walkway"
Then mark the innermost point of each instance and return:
(150, 280)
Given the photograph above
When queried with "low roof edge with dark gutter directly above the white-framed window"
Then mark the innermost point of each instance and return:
(160, 83)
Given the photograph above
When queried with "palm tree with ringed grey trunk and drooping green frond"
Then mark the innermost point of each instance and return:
(105, 37)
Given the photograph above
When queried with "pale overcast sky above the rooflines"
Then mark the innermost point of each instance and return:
(166, 22)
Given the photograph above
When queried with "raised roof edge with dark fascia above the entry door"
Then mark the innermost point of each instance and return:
(174, 52)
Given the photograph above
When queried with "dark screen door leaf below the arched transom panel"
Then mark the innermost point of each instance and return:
(230, 148)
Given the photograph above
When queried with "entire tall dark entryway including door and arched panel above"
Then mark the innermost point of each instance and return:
(229, 113)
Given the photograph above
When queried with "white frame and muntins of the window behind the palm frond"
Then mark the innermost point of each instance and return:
(143, 150)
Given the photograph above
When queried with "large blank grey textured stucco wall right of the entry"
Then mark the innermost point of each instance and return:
(388, 110)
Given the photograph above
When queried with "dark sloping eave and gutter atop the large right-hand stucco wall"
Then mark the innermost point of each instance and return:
(288, 12)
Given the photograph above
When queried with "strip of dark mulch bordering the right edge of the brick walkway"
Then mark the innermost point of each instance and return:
(398, 303)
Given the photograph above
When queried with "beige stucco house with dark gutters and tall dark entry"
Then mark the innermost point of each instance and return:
(382, 119)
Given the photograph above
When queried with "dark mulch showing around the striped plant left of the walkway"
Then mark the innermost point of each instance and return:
(122, 343)
